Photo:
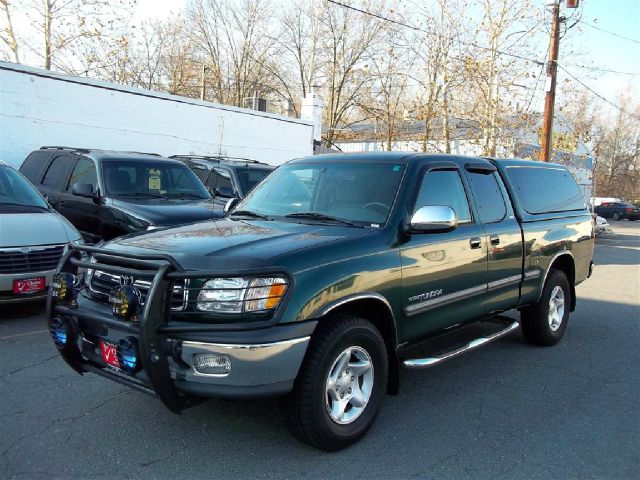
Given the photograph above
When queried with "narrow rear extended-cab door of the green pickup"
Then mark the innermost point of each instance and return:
(502, 235)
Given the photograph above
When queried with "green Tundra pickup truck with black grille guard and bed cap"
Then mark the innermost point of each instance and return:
(325, 280)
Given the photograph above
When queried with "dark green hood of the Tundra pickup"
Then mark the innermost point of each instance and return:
(232, 244)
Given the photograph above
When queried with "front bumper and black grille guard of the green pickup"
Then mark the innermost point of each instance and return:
(263, 361)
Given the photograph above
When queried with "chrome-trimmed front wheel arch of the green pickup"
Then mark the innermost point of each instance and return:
(376, 309)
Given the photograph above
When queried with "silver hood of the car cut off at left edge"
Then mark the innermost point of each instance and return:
(42, 228)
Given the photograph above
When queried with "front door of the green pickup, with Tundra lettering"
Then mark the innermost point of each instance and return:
(444, 275)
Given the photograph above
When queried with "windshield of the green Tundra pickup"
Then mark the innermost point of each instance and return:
(360, 193)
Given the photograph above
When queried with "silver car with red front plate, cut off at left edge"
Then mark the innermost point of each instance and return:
(33, 238)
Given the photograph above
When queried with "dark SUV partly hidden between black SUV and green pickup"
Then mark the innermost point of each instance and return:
(226, 177)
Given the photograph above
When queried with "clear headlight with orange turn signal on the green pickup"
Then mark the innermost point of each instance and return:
(239, 294)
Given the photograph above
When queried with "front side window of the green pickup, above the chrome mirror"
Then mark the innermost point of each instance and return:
(444, 187)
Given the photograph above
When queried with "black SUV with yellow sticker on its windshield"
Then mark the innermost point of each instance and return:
(106, 194)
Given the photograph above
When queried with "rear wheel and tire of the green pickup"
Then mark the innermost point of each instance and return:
(545, 322)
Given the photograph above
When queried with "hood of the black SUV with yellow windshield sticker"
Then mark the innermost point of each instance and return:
(159, 211)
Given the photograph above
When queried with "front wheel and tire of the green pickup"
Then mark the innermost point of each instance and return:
(340, 386)
